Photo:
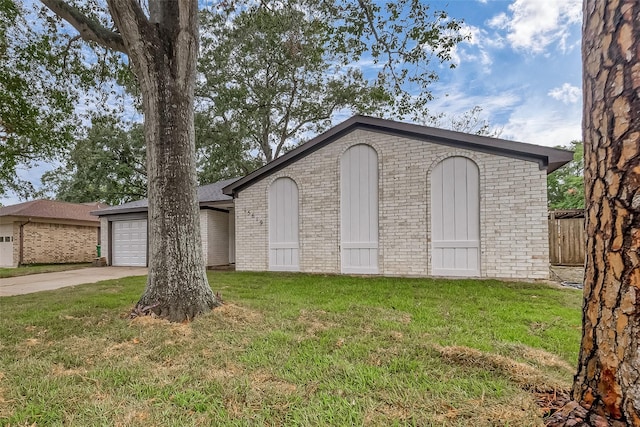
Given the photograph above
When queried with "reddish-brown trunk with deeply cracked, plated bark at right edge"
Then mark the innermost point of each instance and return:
(608, 380)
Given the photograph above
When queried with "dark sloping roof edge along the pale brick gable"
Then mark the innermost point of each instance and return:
(548, 158)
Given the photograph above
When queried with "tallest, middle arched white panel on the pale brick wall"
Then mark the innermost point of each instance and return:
(359, 210)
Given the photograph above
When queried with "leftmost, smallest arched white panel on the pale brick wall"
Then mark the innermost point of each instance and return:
(284, 246)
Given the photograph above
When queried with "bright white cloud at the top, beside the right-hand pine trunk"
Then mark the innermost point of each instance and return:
(533, 25)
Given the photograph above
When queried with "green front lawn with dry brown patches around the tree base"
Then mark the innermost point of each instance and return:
(290, 349)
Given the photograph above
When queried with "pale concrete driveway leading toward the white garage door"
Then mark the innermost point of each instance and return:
(47, 281)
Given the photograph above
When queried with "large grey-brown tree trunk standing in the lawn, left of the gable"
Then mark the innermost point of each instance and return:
(163, 52)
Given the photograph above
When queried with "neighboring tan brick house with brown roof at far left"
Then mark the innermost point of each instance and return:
(48, 232)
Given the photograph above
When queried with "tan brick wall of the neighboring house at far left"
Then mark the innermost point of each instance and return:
(58, 243)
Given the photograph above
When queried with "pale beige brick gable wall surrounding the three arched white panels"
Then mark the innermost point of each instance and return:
(513, 215)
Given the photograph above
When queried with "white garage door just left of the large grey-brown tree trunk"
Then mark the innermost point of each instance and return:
(129, 243)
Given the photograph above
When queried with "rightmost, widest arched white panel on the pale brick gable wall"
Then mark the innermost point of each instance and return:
(455, 218)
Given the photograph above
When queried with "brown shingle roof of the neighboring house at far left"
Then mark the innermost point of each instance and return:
(53, 209)
